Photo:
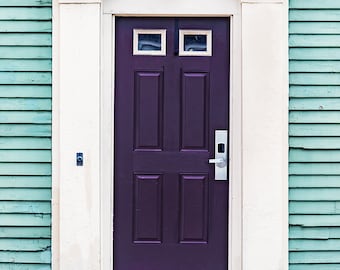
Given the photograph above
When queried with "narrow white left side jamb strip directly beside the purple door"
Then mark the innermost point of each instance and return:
(107, 122)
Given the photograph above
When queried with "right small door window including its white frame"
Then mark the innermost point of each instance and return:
(195, 42)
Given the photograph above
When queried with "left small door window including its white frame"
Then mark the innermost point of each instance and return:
(149, 42)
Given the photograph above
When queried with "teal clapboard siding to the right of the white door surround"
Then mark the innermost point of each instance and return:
(314, 194)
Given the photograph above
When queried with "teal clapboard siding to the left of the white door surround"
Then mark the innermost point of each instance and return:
(25, 134)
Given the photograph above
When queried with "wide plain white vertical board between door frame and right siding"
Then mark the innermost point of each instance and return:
(265, 135)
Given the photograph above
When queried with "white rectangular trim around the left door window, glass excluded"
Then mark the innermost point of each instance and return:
(161, 32)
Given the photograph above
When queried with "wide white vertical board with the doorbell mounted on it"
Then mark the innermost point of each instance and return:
(79, 131)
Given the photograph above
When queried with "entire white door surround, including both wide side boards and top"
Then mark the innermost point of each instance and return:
(83, 41)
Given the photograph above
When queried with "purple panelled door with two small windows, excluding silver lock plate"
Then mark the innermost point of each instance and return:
(171, 95)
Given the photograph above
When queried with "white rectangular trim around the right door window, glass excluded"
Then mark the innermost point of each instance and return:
(183, 32)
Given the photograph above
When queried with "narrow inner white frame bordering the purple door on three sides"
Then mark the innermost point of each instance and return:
(107, 118)
